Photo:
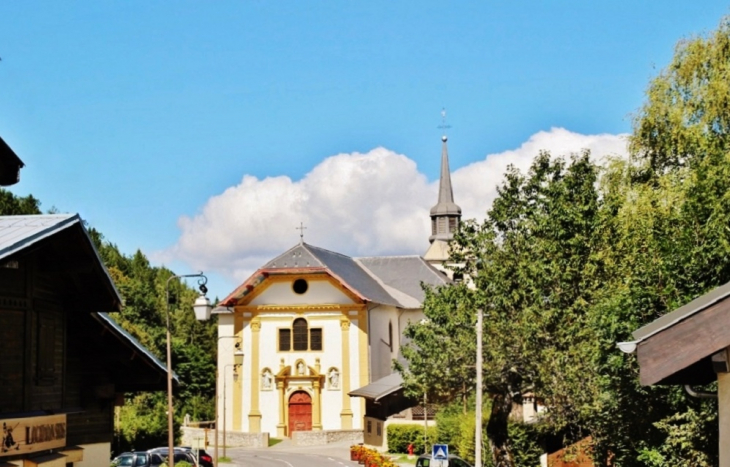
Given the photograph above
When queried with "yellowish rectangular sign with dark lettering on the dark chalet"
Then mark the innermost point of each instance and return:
(32, 434)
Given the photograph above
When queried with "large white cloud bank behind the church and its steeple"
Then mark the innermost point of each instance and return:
(358, 204)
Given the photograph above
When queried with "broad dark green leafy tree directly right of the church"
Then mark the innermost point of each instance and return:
(527, 262)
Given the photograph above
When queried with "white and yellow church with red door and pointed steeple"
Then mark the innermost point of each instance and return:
(312, 326)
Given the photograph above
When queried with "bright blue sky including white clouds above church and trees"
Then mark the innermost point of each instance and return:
(146, 117)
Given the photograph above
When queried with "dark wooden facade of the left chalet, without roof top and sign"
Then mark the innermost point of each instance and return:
(58, 354)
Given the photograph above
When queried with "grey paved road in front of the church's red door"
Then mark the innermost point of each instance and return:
(274, 458)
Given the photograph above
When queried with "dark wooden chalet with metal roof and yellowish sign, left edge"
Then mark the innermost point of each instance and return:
(64, 363)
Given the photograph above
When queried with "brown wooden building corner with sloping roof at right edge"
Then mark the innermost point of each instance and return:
(689, 346)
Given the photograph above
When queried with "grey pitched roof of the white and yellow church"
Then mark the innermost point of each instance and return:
(387, 280)
